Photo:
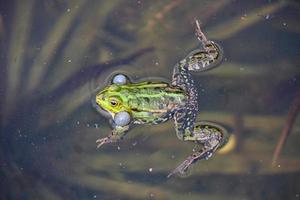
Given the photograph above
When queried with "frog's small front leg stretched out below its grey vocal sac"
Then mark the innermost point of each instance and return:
(117, 133)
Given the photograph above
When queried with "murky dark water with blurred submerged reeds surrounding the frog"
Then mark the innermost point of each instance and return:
(54, 54)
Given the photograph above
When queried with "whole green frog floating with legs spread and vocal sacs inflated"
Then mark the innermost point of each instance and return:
(153, 102)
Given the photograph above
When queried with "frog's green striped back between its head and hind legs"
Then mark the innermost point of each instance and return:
(149, 101)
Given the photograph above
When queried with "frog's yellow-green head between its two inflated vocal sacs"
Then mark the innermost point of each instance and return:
(110, 100)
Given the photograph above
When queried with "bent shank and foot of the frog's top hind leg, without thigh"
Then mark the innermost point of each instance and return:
(209, 57)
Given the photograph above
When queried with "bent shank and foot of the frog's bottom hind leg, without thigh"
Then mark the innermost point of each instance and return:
(211, 135)
